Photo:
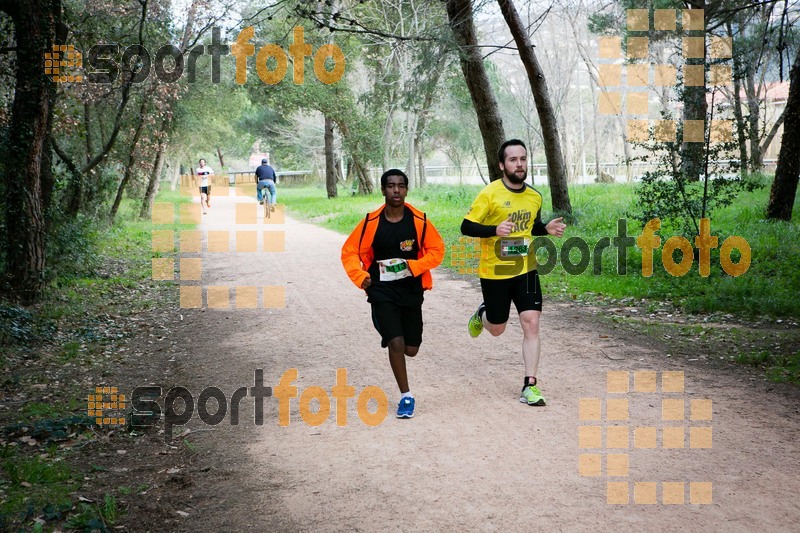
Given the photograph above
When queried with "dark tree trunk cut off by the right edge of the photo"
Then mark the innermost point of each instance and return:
(784, 188)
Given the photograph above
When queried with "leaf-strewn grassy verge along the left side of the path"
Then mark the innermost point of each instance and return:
(105, 274)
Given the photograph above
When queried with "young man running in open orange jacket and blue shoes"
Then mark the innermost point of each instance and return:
(390, 254)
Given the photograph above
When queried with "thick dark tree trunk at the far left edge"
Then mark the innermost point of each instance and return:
(35, 25)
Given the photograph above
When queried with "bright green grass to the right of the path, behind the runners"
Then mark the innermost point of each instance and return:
(768, 288)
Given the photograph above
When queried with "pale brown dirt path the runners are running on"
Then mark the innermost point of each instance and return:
(473, 457)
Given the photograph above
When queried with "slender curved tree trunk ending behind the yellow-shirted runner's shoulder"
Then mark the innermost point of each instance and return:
(556, 170)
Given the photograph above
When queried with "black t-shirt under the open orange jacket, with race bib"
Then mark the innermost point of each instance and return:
(395, 240)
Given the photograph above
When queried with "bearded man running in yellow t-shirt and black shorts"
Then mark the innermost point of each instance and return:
(505, 214)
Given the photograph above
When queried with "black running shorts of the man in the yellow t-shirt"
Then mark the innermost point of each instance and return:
(524, 290)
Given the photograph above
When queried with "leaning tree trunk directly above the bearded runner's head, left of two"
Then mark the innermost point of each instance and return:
(459, 15)
